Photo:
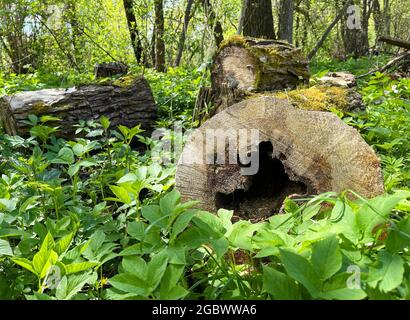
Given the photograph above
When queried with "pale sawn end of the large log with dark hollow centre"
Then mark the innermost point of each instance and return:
(302, 152)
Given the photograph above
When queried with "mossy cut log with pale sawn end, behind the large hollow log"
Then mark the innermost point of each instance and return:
(247, 65)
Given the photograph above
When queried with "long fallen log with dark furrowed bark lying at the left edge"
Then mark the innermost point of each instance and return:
(127, 101)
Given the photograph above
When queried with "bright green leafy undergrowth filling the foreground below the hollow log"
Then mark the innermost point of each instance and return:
(92, 218)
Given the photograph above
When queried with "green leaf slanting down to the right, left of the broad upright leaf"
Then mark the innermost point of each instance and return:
(301, 270)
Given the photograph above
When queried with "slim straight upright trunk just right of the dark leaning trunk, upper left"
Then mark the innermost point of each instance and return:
(159, 35)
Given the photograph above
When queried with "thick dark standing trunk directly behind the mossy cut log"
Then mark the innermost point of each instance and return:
(258, 19)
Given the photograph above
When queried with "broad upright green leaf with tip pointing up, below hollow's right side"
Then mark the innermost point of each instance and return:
(326, 257)
